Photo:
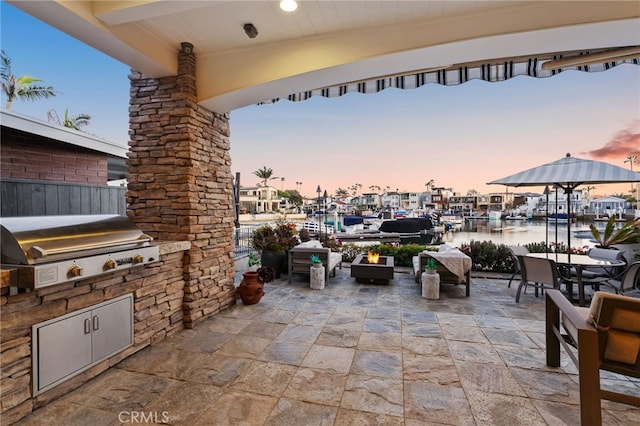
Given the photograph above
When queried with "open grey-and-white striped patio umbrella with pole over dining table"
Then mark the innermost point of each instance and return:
(568, 173)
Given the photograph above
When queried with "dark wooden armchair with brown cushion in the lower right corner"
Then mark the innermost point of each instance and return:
(607, 336)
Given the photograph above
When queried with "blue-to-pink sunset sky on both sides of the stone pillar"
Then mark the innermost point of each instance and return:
(459, 137)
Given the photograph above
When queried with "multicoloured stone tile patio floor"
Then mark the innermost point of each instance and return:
(350, 354)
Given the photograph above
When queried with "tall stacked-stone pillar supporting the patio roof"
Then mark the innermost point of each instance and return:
(180, 182)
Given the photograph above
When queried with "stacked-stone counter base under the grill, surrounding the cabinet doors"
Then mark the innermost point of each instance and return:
(158, 293)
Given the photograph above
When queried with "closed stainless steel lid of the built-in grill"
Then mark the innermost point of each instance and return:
(40, 239)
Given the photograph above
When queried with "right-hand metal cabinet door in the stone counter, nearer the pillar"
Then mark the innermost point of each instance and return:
(111, 328)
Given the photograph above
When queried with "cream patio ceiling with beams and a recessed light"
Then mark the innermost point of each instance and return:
(329, 43)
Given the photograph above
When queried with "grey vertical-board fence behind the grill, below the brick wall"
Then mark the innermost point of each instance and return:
(37, 198)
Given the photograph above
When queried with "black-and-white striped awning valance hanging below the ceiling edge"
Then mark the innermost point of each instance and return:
(541, 65)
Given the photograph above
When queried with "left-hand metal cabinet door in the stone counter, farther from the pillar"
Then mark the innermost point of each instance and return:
(64, 347)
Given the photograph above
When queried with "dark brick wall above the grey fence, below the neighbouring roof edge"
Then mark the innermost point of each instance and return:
(25, 157)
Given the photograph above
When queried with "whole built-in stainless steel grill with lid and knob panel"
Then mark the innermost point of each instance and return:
(48, 250)
